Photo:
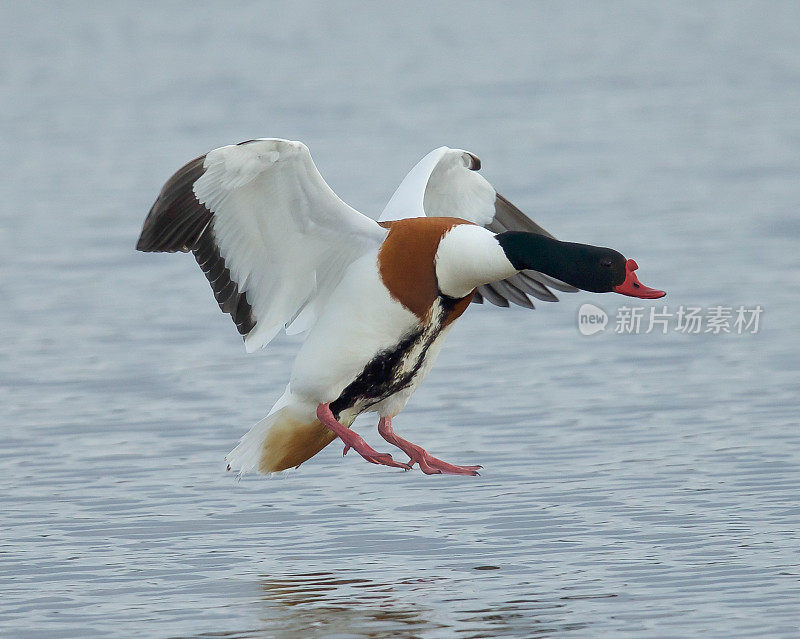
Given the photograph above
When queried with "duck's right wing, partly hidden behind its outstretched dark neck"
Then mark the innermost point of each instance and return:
(446, 183)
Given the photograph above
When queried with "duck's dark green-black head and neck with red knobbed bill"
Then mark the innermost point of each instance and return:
(591, 268)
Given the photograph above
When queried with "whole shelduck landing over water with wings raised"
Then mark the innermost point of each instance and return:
(375, 299)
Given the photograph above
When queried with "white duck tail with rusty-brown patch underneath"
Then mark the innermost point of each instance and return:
(285, 438)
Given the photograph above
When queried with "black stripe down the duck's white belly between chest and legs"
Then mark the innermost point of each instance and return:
(381, 377)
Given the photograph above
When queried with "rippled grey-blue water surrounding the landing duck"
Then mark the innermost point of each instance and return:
(634, 485)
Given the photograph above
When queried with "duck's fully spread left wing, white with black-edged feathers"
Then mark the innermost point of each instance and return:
(271, 236)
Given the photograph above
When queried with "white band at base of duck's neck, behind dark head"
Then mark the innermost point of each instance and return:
(468, 256)
